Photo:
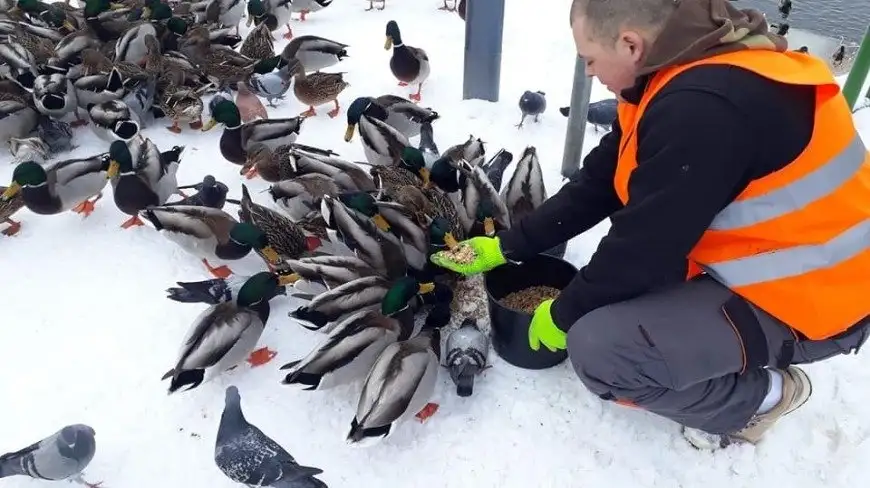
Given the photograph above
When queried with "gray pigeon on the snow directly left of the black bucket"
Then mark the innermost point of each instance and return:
(467, 349)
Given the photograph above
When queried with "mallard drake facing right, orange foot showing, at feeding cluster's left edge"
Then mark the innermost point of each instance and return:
(209, 234)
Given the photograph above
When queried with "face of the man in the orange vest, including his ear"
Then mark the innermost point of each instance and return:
(615, 65)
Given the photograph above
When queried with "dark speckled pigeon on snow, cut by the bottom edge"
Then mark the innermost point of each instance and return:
(246, 455)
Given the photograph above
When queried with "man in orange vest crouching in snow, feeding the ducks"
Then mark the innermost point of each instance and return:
(739, 195)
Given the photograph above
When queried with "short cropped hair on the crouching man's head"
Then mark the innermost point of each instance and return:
(605, 18)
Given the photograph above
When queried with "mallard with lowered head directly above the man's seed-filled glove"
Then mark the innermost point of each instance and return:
(481, 202)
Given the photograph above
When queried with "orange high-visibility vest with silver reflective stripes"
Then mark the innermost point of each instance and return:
(795, 243)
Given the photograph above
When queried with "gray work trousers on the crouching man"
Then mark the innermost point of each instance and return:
(694, 353)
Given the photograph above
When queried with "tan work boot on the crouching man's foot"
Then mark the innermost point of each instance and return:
(796, 390)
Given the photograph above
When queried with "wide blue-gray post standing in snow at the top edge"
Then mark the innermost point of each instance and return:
(484, 23)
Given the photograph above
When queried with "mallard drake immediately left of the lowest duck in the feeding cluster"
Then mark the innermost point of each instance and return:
(350, 349)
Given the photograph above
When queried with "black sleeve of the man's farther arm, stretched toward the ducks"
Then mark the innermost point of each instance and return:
(587, 199)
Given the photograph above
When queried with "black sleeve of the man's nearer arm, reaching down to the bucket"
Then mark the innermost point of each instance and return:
(695, 148)
